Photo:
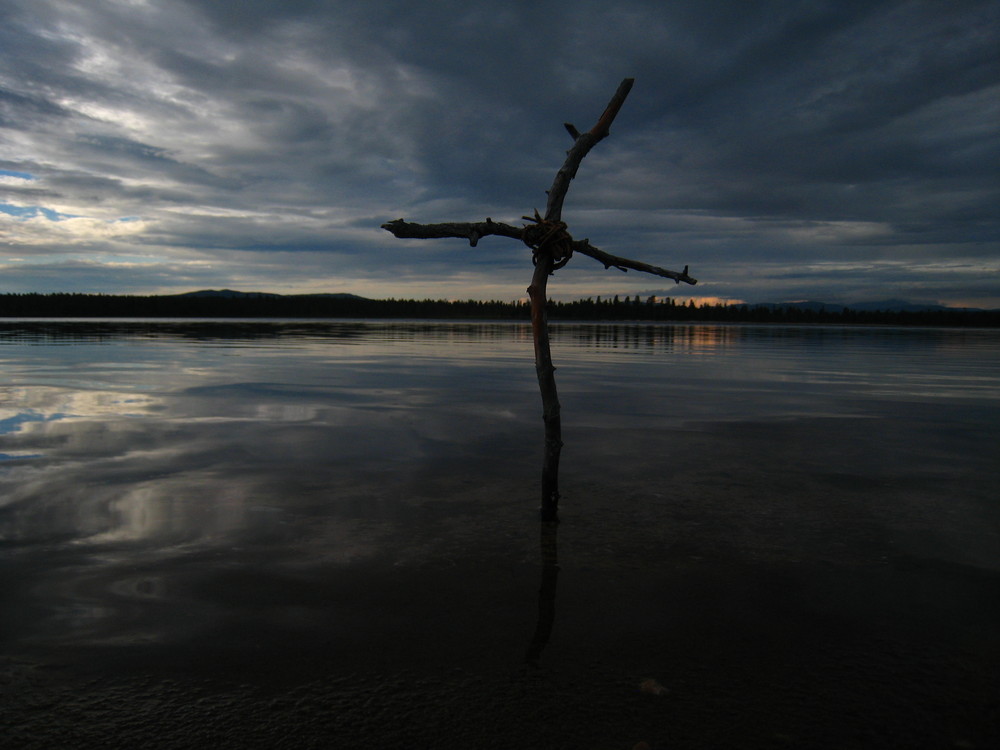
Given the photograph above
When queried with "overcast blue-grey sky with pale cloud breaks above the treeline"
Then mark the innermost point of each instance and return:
(788, 149)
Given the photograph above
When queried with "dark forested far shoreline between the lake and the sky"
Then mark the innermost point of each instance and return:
(349, 306)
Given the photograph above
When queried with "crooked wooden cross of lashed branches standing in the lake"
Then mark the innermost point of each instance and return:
(552, 246)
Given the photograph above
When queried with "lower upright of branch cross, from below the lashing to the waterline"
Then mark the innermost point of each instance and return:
(547, 385)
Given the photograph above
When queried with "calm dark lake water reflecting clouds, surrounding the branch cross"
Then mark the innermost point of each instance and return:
(317, 534)
